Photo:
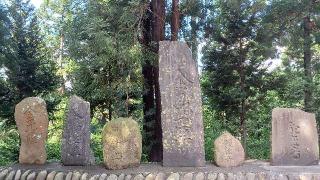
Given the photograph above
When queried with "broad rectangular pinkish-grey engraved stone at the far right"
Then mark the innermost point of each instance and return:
(294, 137)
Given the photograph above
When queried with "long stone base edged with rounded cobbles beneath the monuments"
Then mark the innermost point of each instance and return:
(251, 170)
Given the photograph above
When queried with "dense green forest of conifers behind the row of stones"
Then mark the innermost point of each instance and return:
(253, 56)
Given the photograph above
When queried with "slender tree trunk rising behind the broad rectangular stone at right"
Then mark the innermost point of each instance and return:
(307, 65)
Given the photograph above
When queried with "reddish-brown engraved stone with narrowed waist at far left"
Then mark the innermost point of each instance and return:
(32, 121)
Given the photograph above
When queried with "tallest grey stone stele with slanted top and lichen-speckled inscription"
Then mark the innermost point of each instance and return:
(181, 116)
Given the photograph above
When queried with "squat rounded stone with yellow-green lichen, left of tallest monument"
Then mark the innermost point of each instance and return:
(122, 144)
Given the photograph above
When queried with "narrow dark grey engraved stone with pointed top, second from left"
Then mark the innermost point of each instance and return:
(75, 148)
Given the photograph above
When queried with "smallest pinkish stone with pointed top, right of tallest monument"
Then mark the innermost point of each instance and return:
(228, 151)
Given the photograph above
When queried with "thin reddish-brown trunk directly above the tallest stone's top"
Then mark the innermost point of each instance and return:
(175, 20)
